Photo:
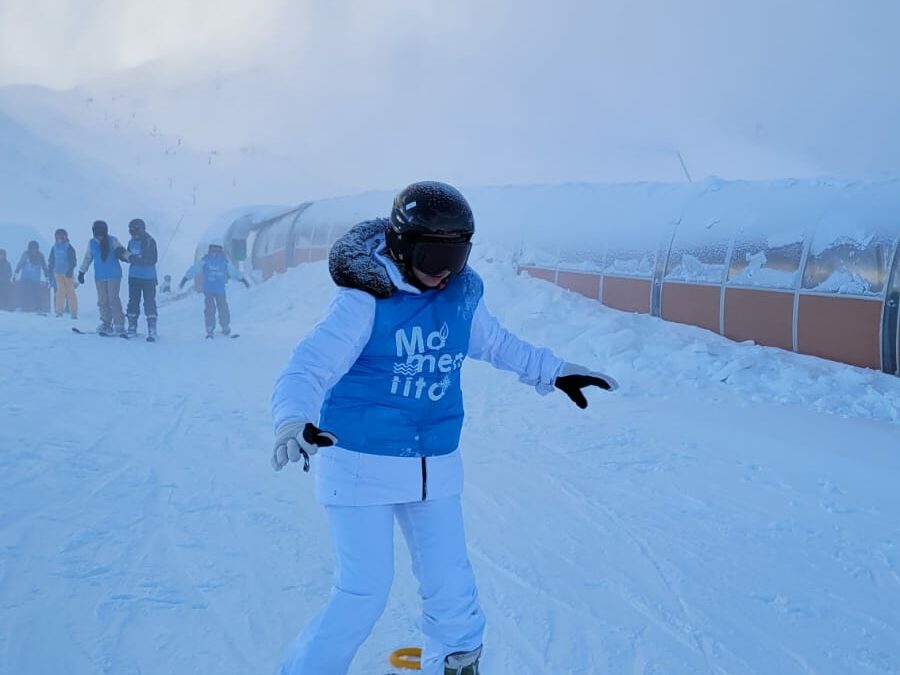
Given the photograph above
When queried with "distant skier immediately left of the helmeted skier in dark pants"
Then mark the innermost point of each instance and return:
(105, 252)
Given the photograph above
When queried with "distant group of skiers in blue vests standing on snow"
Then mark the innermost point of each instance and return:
(106, 254)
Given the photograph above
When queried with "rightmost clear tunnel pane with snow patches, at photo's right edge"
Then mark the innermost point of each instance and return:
(849, 258)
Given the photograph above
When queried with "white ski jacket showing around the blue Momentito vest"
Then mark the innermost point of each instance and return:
(325, 355)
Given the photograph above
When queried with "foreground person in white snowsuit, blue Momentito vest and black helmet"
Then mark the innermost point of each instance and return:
(374, 388)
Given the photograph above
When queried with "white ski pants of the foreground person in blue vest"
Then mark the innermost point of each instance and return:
(363, 540)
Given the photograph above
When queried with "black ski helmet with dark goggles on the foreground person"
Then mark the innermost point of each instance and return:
(431, 228)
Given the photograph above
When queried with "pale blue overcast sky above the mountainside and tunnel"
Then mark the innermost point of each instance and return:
(374, 92)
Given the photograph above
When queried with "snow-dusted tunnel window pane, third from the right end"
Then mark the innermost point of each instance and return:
(699, 251)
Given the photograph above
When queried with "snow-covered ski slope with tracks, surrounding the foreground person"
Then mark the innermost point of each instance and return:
(732, 509)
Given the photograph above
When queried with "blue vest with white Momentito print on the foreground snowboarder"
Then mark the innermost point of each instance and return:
(402, 396)
